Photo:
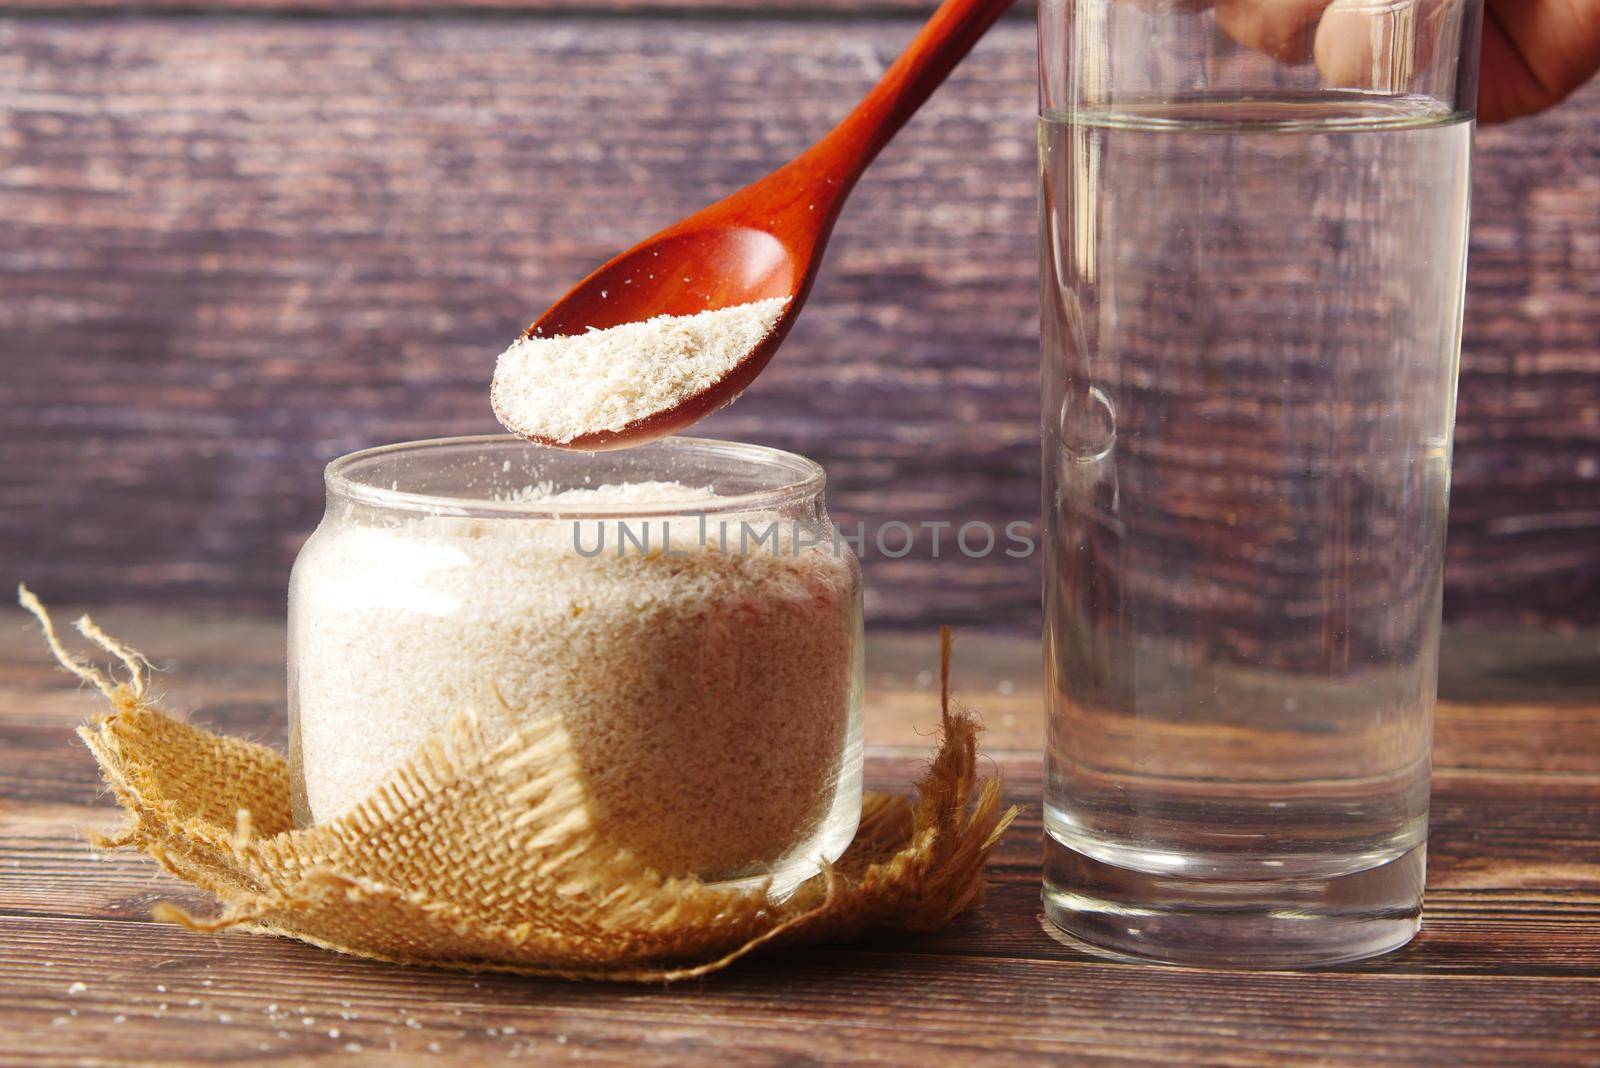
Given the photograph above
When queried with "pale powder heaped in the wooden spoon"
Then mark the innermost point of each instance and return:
(558, 389)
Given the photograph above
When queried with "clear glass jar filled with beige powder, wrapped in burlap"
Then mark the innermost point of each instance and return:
(684, 608)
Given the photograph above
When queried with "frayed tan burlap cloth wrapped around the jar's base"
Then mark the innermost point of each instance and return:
(484, 858)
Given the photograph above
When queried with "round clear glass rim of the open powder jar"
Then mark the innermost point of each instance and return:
(793, 476)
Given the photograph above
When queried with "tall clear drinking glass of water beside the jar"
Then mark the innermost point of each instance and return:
(1254, 245)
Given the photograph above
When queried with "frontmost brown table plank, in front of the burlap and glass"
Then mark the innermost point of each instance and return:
(839, 1006)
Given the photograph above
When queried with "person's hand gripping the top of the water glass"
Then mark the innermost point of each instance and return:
(1535, 52)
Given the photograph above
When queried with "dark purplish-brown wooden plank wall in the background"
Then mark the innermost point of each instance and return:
(241, 237)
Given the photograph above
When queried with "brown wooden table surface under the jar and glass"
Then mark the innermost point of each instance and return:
(1506, 970)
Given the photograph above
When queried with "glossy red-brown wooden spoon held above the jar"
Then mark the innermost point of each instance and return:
(767, 239)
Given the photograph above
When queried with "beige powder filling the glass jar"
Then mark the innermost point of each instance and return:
(708, 696)
